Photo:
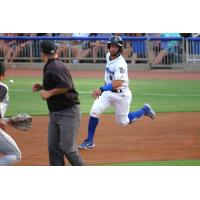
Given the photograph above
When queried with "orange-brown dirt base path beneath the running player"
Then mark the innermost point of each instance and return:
(172, 136)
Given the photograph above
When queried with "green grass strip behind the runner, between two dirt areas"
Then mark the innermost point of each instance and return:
(163, 95)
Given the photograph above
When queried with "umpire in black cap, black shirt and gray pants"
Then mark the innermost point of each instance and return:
(63, 104)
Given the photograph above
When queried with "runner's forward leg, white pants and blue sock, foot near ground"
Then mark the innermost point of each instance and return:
(99, 106)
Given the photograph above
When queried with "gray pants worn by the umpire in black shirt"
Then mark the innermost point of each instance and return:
(62, 135)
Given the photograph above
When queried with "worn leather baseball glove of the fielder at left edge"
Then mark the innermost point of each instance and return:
(21, 121)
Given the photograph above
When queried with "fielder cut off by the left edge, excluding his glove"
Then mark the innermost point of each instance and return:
(8, 147)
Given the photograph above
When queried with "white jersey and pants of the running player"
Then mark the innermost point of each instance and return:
(116, 69)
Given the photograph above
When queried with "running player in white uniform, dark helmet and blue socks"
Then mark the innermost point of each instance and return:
(114, 93)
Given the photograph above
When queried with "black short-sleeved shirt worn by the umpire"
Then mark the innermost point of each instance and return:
(56, 75)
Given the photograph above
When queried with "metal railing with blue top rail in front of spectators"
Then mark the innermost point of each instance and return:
(153, 51)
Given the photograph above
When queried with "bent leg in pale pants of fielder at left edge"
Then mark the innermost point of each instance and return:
(9, 149)
